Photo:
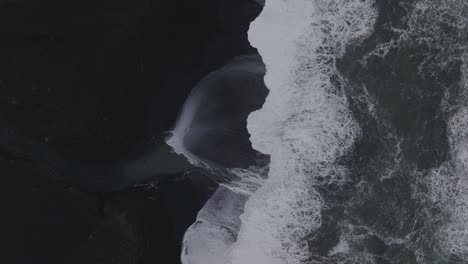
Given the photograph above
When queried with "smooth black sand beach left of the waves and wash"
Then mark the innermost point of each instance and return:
(87, 87)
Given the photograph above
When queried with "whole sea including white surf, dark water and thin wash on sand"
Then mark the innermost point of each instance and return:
(365, 126)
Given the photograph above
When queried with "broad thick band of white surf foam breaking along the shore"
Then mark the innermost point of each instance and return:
(305, 124)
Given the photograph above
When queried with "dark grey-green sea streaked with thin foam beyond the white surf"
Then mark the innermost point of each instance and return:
(405, 83)
